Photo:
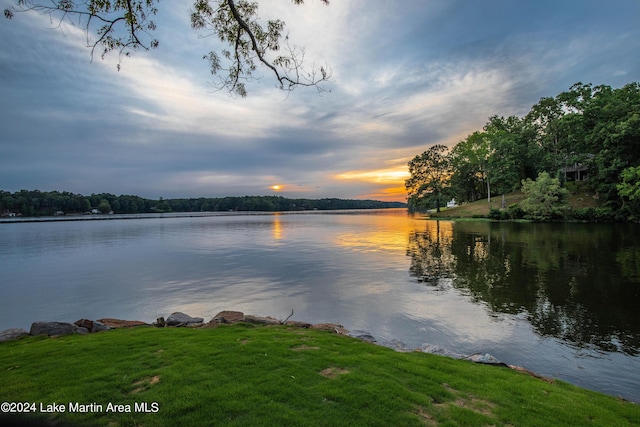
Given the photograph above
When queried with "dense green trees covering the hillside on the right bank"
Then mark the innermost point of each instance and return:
(588, 133)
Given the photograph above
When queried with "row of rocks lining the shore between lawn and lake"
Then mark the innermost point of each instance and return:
(179, 319)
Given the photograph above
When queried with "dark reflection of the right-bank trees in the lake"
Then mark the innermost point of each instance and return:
(579, 283)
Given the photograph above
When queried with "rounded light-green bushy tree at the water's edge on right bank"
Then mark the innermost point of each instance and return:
(546, 198)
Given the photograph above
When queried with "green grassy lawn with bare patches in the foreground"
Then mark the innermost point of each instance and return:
(243, 375)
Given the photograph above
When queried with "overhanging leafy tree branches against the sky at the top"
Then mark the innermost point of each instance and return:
(125, 26)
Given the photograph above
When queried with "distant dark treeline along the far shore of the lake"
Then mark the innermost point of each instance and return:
(41, 203)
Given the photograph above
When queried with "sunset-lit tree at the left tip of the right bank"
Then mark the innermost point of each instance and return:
(430, 174)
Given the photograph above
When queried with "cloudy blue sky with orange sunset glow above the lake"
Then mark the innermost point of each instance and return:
(404, 76)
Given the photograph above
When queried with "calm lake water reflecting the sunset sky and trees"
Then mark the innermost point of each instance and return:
(559, 299)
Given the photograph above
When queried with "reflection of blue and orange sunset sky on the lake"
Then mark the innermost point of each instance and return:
(358, 270)
